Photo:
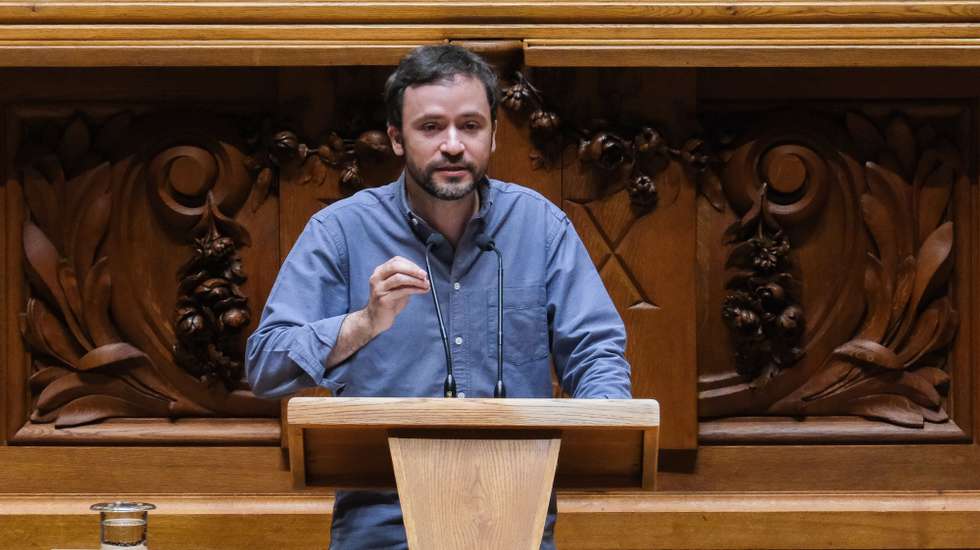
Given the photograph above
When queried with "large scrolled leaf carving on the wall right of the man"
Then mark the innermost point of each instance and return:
(890, 297)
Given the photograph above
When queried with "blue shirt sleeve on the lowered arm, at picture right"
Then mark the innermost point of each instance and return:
(588, 336)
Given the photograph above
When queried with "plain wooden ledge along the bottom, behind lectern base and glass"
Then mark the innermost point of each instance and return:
(585, 521)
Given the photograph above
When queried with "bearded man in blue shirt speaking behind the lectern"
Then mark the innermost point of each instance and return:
(344, 312)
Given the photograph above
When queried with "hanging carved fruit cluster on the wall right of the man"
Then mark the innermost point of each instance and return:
(762, 309)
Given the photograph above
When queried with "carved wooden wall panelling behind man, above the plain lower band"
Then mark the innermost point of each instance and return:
(803, 259)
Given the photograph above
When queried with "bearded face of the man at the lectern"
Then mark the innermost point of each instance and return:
(446, 136)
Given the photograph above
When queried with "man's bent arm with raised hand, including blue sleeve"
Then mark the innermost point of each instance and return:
(307, 328)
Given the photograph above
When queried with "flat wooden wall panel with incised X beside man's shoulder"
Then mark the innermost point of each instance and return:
(645, 254)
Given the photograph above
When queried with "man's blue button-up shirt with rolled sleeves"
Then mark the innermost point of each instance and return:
(556, 309)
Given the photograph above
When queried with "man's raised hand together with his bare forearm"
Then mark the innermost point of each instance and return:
(392, 284)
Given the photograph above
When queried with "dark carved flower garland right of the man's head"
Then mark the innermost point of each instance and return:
(630, 155)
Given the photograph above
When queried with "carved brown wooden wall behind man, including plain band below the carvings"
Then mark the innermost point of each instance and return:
(794, 253)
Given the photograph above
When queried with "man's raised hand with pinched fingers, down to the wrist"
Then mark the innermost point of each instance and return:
(392, 284)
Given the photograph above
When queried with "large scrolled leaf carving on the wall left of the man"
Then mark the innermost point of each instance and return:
(98, 348)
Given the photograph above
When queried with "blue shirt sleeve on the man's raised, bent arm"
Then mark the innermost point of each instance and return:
(302, 317)
